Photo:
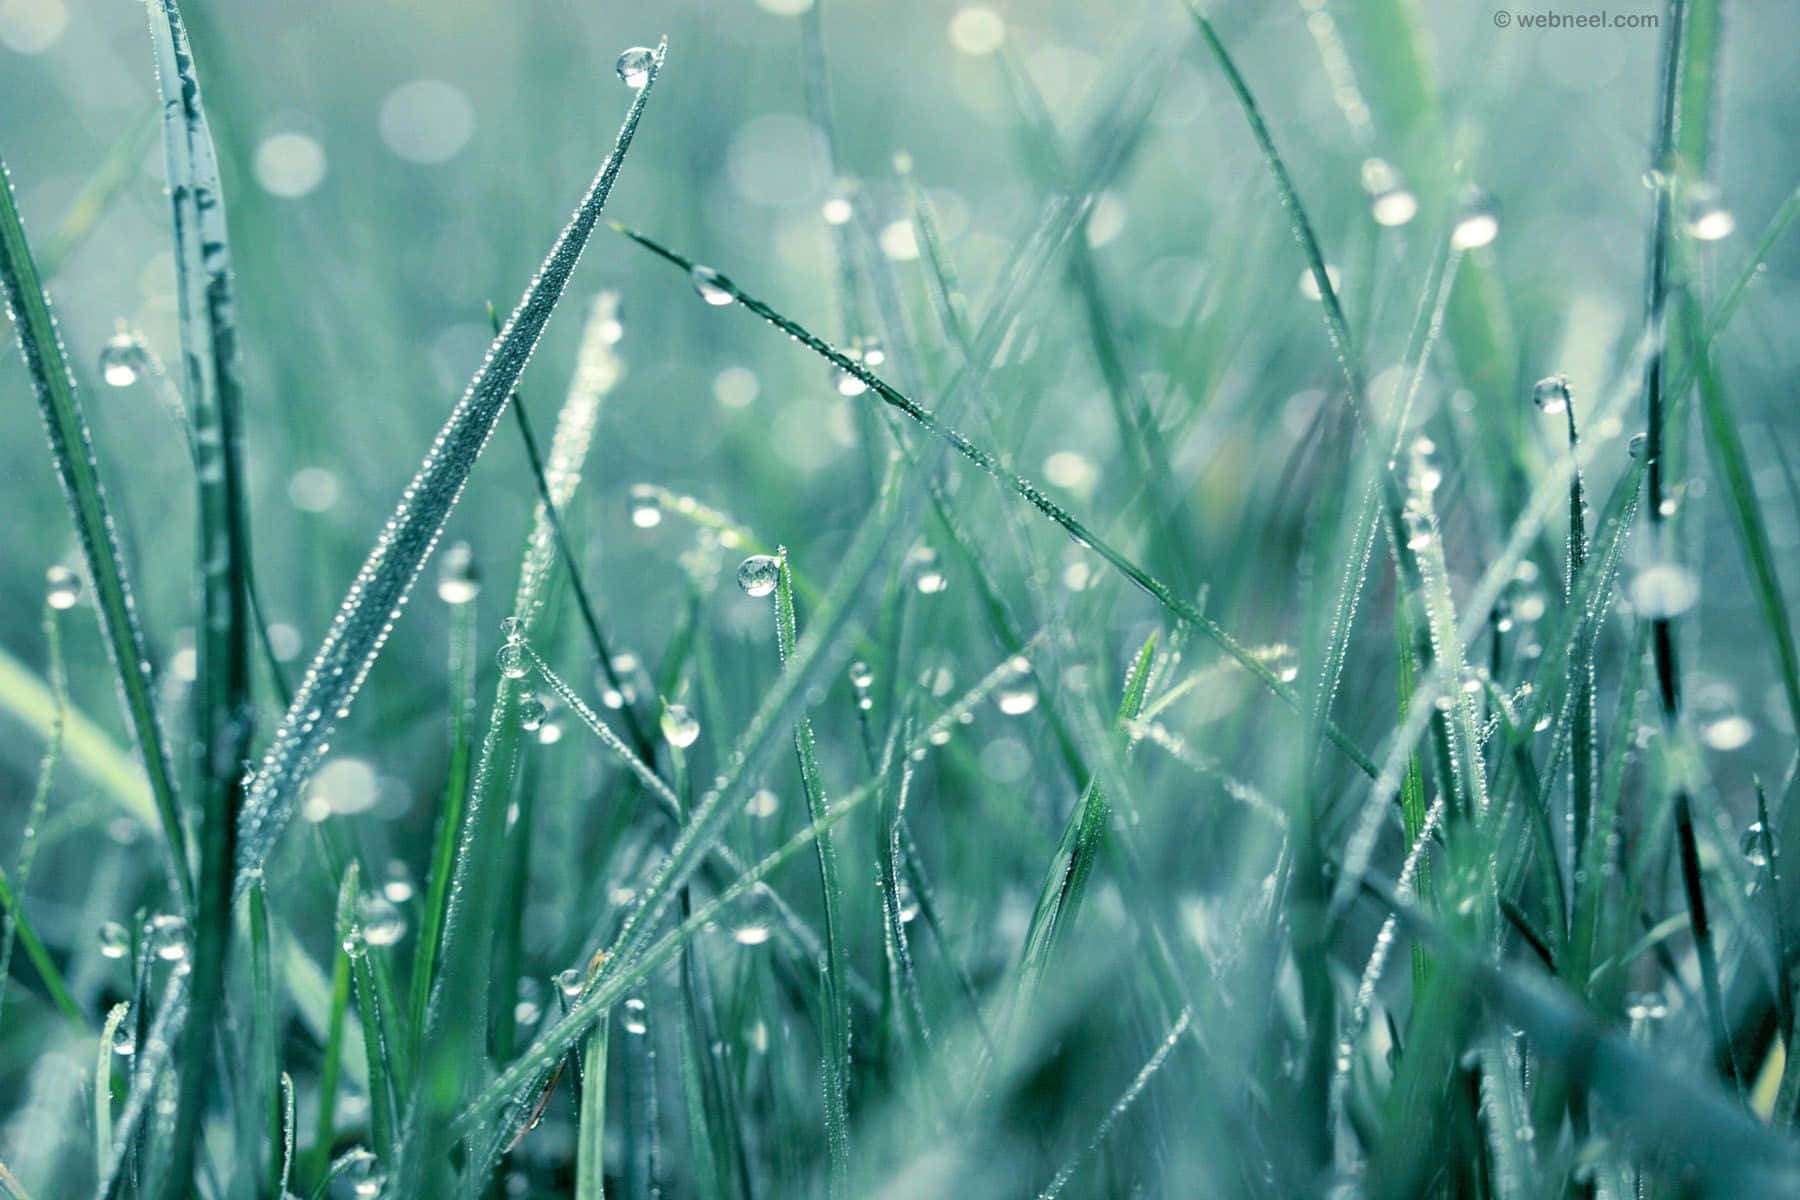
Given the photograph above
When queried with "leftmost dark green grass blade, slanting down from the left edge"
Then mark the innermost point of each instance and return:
(73, 456)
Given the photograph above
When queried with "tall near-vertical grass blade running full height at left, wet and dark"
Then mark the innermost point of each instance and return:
(222, 688)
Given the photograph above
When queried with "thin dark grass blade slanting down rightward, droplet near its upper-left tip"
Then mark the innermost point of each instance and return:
(1025, 488)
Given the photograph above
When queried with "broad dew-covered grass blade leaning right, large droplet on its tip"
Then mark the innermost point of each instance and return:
(393, 566)
